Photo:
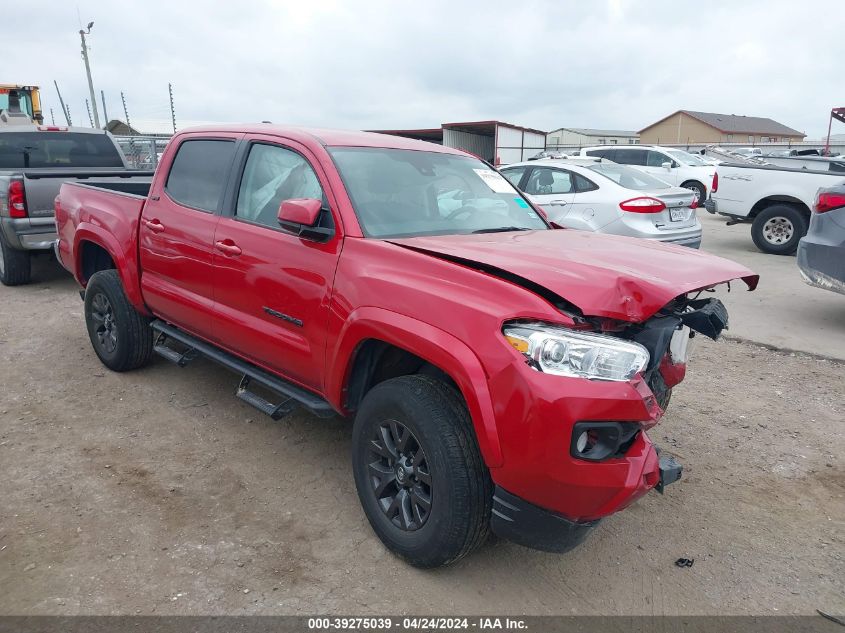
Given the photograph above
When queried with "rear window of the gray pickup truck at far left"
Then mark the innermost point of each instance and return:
(21, 150)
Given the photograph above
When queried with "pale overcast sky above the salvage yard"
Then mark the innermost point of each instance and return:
(390, 64)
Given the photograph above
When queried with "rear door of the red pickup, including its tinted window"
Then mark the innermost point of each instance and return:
(176, 236)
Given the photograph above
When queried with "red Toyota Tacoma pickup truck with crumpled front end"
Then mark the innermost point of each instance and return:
(501, 374)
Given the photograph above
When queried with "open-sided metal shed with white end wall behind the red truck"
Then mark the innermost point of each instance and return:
(494, 141)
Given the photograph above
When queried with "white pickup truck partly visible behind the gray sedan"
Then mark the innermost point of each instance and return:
(776, 200)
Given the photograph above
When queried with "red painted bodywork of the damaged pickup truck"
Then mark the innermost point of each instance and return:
(213, 275)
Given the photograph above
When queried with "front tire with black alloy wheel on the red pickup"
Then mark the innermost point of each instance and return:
(450, 474)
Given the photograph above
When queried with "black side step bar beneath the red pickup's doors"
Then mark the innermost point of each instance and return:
(292, 395)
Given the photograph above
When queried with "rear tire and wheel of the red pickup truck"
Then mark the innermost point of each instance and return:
(121, 337)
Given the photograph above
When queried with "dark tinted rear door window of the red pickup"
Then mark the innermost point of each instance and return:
(198, 173)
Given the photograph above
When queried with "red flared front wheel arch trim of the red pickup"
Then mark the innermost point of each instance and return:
(430, 343)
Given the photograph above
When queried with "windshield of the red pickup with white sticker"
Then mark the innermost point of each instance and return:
(405, 193)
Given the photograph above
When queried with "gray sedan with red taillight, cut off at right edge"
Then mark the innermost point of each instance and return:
(821, 253)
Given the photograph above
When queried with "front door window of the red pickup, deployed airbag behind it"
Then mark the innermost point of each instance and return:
(272, 175)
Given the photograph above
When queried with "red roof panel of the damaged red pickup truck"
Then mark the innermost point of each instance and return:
(329, 137)
